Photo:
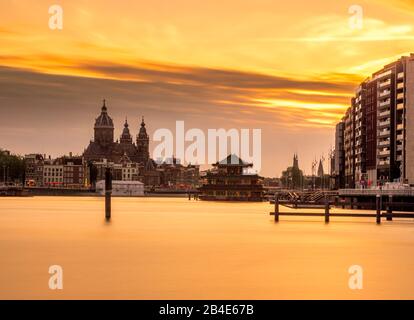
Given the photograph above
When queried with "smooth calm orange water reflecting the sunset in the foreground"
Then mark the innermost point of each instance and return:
(166, 248)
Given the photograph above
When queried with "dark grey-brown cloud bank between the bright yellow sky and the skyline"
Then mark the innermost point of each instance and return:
(54, 114)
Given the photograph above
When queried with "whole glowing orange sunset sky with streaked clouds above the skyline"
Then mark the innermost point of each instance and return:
(287, 67)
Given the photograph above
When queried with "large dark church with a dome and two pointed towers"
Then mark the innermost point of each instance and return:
(104, 145)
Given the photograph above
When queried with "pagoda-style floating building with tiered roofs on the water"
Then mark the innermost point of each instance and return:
(228, 180)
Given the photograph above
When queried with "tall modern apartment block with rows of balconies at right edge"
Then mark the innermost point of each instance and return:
(379, 128)
